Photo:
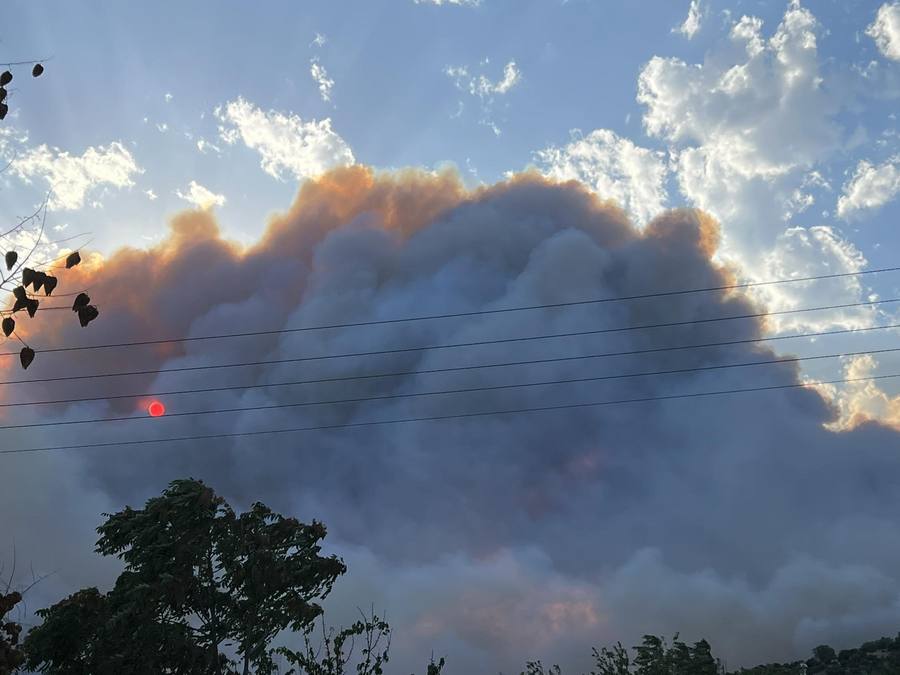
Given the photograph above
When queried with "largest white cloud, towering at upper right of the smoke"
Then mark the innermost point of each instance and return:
(747, 127)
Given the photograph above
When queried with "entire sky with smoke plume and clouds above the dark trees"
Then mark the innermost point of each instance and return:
(313, 163)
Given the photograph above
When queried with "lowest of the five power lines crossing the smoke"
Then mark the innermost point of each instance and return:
(432, 418)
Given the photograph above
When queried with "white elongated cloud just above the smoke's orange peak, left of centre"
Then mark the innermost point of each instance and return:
(285, 142)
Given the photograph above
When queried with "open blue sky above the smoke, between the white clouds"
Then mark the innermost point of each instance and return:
(392, 101)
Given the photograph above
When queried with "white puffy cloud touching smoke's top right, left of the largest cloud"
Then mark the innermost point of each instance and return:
(615, 168)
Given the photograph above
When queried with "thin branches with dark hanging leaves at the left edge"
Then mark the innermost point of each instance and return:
(19, 273)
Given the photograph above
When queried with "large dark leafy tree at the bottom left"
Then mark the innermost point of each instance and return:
(196, 576)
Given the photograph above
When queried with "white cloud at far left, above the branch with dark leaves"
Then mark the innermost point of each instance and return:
(73, 178)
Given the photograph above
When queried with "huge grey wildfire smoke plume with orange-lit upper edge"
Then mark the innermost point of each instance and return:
(600, 523)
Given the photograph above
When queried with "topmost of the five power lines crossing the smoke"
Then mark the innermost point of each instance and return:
(480, 312)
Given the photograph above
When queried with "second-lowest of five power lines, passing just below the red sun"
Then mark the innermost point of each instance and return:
(465, 390)
